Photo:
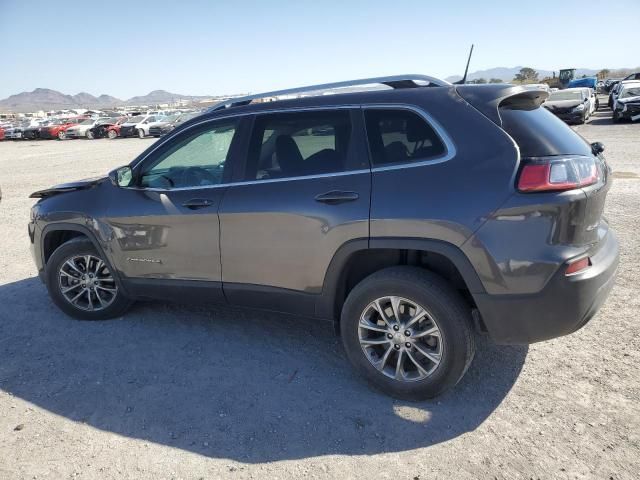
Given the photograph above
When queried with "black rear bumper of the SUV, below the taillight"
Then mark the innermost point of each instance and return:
(563, 306)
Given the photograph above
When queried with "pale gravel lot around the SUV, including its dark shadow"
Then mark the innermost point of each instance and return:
(172, 391)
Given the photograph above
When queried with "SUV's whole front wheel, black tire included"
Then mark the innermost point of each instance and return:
(116, 302)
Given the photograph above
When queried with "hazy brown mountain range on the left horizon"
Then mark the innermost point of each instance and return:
(47, 99)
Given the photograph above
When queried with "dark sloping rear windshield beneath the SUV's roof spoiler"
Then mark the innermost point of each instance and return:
(540, 133)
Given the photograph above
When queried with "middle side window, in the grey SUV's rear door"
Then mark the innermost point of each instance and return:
(299, 144)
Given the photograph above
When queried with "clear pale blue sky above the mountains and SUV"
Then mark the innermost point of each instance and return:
(217, 47)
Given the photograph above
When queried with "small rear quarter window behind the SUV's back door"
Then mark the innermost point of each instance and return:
(400, 136)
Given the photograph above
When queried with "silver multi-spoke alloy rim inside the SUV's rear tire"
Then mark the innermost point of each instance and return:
(400, 338)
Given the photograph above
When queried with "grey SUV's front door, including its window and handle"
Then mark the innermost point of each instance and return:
(166, 225)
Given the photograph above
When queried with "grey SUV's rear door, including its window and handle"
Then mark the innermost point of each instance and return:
(303, 193)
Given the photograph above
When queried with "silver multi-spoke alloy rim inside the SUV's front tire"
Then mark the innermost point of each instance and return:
(86, 283)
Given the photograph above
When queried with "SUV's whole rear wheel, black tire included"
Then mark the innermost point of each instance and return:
(446, 310)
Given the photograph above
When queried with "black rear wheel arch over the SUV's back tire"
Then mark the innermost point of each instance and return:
(359, 258)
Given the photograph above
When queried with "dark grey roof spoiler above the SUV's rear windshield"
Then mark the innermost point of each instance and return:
(488, 98)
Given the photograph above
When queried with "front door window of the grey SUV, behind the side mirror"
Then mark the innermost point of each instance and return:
(197, 159)
